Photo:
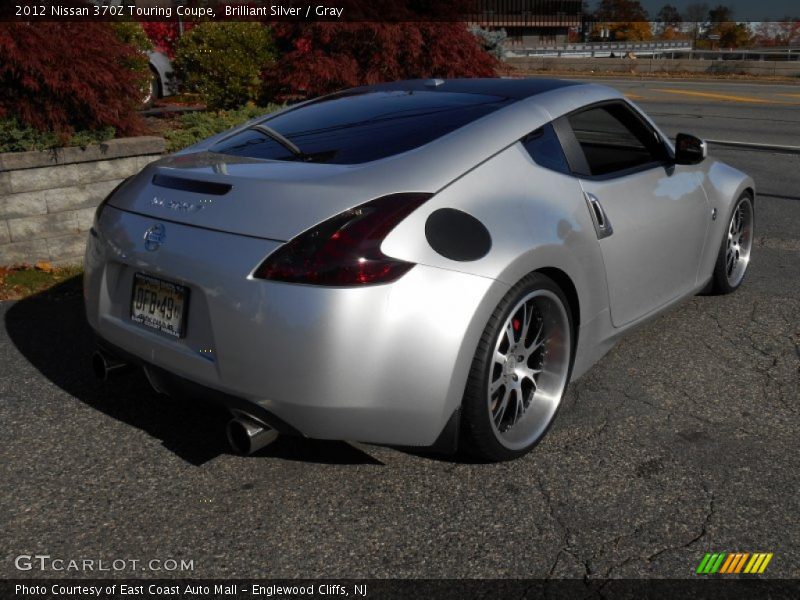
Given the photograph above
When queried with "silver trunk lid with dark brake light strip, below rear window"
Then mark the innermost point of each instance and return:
(268, 199)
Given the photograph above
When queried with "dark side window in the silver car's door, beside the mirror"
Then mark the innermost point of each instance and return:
(614, 139)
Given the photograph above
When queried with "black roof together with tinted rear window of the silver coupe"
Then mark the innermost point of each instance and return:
(368, 123)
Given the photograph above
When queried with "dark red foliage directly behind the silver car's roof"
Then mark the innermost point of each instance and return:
(319, 58)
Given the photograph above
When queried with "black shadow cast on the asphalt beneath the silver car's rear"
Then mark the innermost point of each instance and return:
(51, 332)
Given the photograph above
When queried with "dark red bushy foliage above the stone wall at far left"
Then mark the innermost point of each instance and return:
(64, 77)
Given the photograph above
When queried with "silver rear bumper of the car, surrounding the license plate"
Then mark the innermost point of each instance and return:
(384, 364)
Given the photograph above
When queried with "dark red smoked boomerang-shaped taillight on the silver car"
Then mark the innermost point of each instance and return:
(345, 250)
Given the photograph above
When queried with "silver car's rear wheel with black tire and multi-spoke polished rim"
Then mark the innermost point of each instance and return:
(520, 371)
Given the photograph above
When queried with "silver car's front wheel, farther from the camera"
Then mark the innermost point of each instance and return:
(734, 254)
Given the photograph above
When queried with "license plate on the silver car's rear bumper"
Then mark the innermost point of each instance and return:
(159, 304)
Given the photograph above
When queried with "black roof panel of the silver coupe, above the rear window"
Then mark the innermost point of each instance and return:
(517, 89)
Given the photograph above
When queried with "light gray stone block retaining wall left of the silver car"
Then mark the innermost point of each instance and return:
(48, 199)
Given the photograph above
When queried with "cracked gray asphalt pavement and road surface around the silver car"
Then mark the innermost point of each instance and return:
(682, 440)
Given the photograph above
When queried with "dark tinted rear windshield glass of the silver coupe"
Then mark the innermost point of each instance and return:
(355, 128)
